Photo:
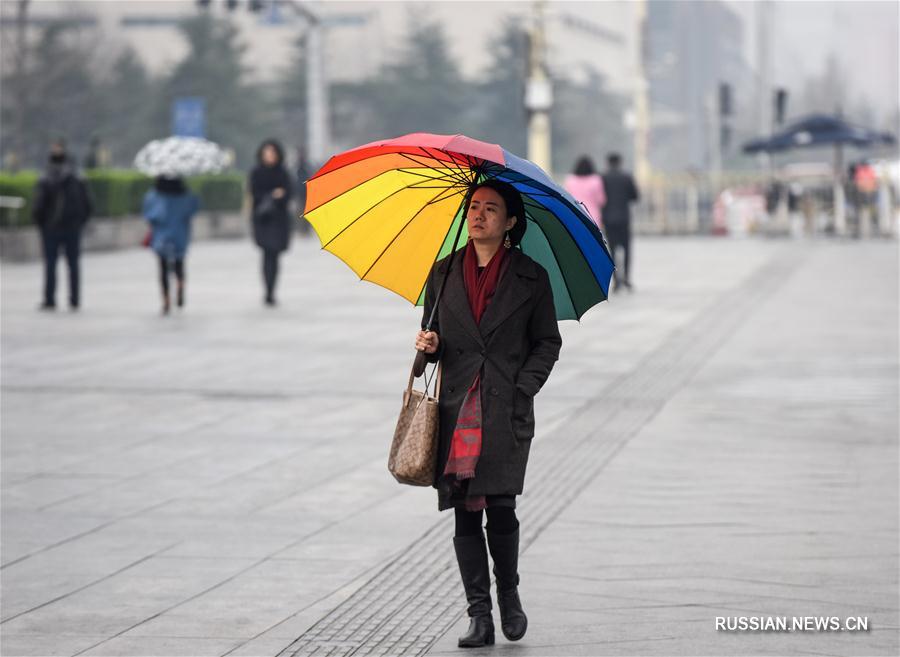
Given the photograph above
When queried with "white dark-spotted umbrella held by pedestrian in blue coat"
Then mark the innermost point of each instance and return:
(180, 156)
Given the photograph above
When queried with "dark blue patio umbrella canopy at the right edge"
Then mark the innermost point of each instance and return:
(818, 130)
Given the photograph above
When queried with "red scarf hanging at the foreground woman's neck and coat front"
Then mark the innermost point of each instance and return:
(465, 446)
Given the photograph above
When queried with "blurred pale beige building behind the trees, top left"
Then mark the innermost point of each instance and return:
(361, 36)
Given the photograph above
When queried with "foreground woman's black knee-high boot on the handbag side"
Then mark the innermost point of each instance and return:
(471, 555)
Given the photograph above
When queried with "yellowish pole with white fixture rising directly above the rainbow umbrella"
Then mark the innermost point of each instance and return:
(538, 93)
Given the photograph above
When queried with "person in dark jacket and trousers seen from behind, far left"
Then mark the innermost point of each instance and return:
(62, 207)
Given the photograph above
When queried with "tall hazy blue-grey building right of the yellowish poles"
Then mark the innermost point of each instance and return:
(690, 48)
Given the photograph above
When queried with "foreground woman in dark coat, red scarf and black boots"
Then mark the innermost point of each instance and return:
(495, 334)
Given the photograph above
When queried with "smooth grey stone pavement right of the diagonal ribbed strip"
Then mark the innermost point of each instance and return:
(768, 486)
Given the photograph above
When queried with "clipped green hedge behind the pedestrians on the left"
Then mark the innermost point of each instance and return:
(120, 192)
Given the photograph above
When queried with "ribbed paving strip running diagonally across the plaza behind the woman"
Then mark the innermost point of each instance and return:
(559, 476)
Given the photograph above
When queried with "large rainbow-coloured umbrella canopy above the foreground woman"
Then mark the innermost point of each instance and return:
(391, 208)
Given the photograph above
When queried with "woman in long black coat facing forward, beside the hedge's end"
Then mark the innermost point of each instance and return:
(270, 188)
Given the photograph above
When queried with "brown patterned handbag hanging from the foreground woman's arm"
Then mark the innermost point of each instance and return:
(414, 449)
